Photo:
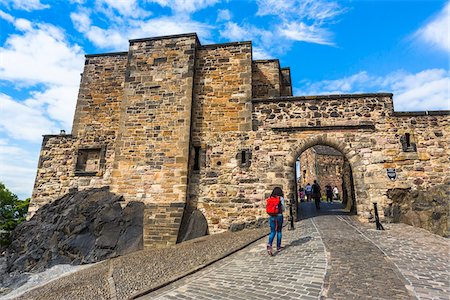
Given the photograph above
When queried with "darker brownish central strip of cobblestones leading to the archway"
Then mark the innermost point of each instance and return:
(357, 268)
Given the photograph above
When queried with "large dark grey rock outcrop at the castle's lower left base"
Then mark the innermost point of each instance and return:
(82, 227)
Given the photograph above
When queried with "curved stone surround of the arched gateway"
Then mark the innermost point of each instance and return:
(350, 156)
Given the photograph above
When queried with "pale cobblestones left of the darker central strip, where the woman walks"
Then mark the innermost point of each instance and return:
(296, 272)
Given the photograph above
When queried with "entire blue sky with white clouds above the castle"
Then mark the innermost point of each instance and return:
(331, 46)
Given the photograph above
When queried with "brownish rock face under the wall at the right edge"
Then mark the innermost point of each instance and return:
(428, 209)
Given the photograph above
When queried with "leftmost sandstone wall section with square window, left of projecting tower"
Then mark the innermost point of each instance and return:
(95, 125)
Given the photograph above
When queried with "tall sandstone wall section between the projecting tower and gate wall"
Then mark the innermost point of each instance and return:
(222, 119)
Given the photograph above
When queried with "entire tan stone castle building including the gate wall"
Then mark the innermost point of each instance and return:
(182, 126)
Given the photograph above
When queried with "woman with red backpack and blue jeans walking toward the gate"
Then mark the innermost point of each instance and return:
(275, 208)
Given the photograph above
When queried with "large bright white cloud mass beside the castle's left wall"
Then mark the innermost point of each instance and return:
(40, 58)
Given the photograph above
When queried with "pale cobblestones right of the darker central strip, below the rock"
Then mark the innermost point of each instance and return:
(422, 258)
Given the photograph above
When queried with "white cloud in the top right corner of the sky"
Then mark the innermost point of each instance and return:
(436, 33)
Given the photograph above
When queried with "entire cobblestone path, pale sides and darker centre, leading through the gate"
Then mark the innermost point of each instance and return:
(328, 256)
